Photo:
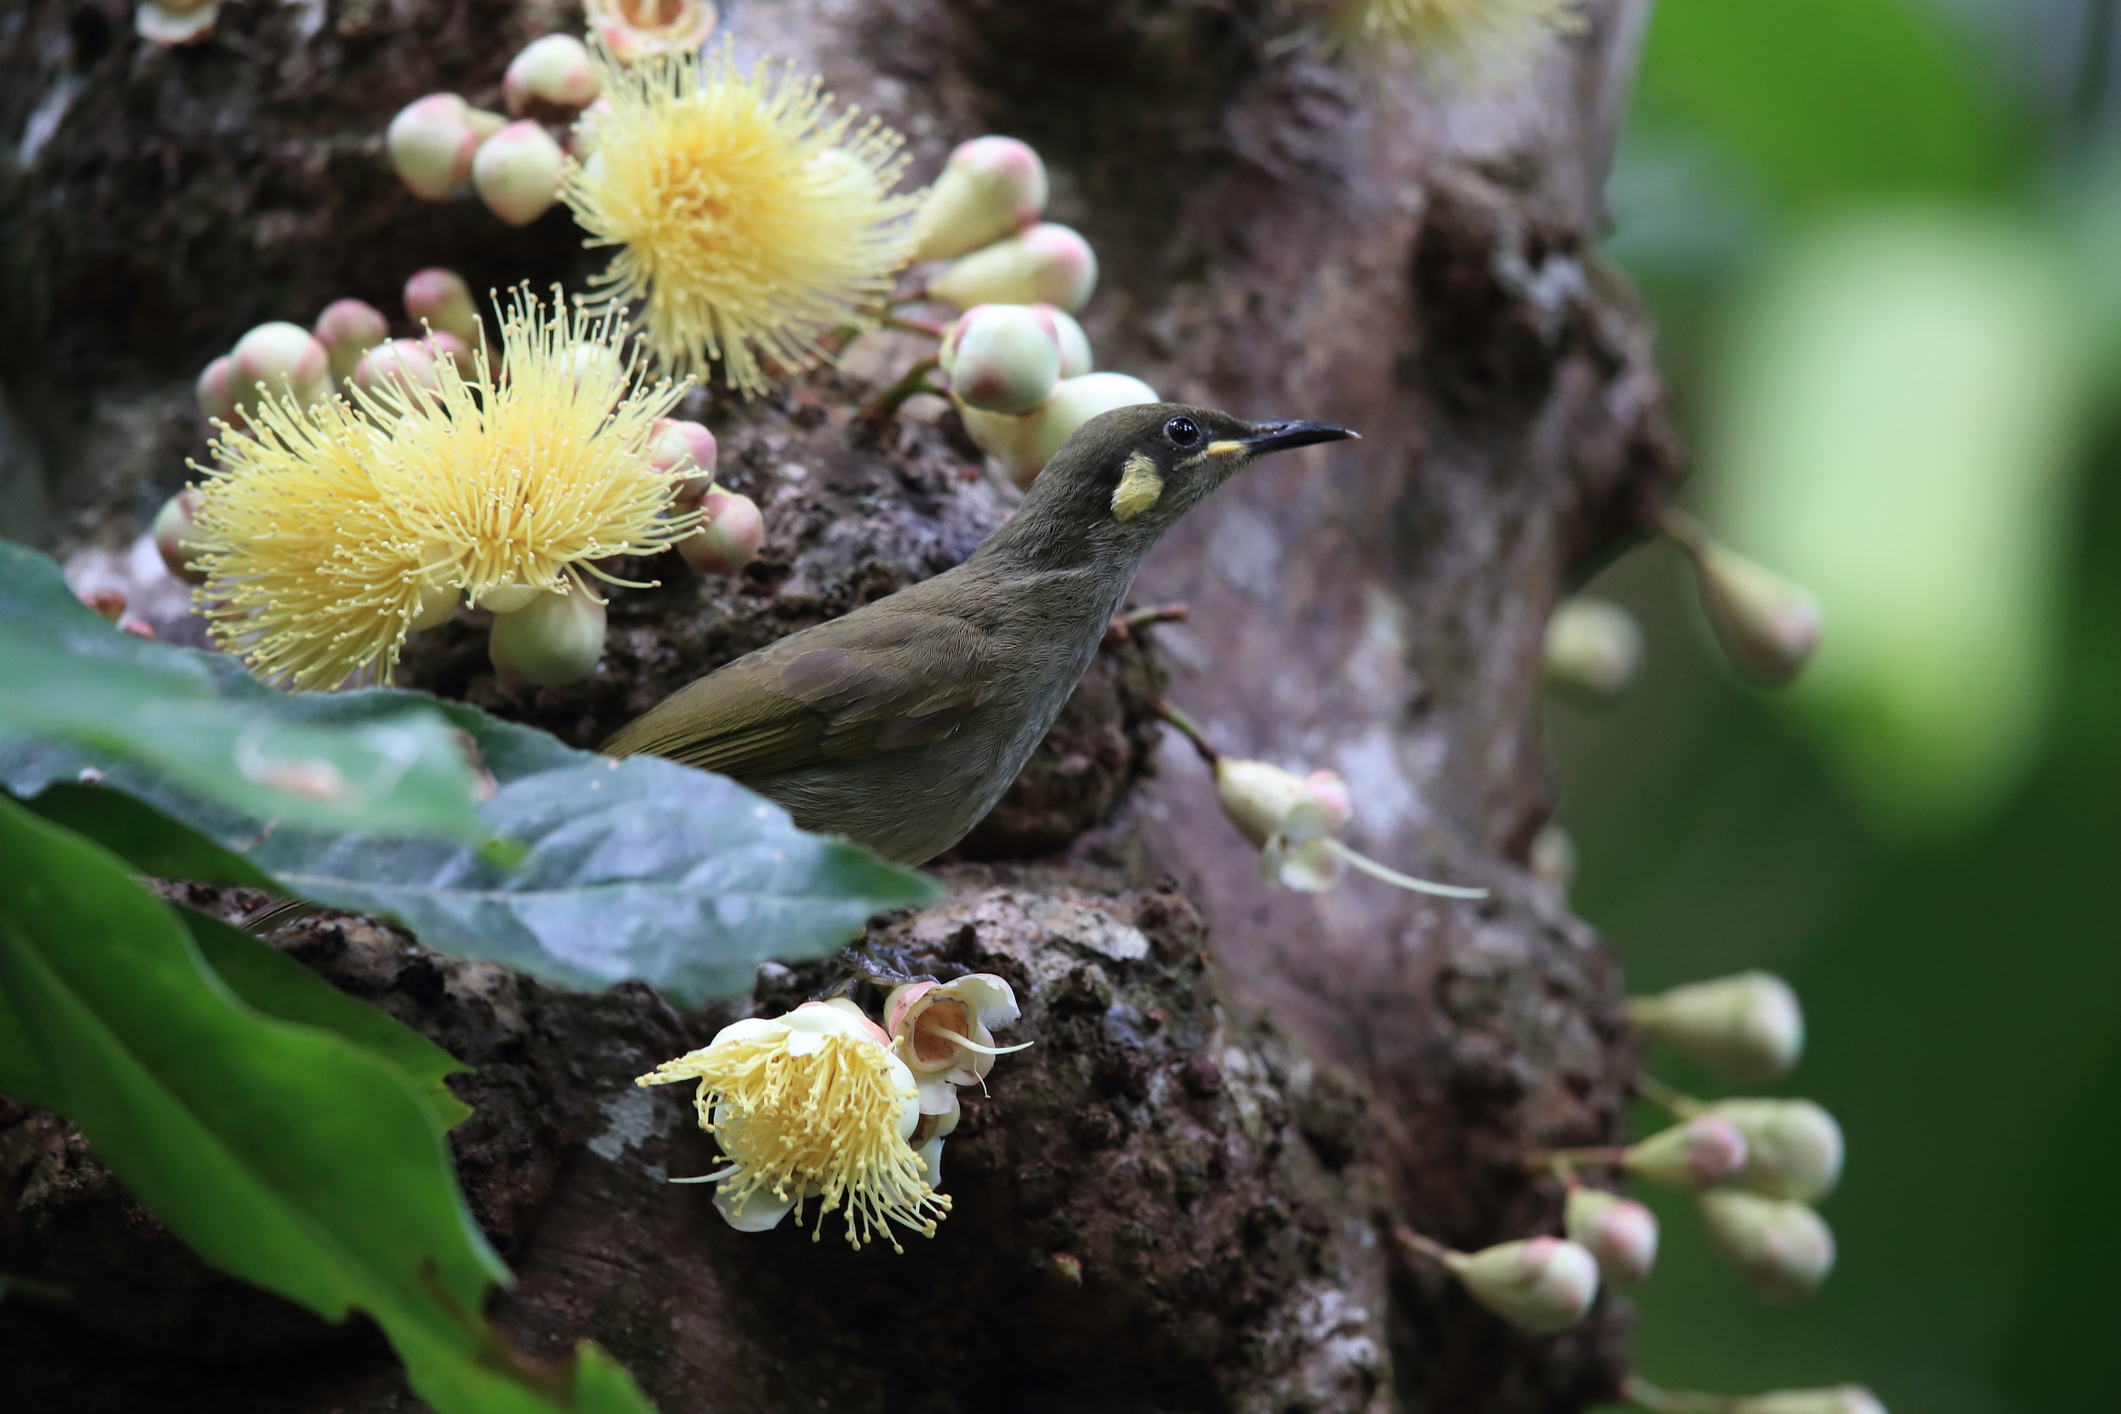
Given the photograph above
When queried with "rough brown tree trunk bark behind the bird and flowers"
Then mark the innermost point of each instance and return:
(1176, 1201)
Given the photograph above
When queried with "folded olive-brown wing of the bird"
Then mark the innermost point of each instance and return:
(841, 690)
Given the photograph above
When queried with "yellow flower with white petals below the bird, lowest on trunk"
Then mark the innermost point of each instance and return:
(811, 1106)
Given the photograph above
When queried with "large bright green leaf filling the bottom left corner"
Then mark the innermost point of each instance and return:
(279, 1152)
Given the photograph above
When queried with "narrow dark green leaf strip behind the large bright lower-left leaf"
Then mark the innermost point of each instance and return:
(281, 987)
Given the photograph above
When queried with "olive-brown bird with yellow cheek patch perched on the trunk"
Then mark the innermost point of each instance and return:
(905, 722)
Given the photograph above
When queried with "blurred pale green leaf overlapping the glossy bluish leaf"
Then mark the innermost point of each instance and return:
(200, 722)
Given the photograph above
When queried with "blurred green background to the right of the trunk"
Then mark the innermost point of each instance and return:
(1882, 241)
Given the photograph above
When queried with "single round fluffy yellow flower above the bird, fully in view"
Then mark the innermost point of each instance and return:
(748, 215)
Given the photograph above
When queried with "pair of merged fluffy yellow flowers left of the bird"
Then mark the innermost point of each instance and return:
(332, 529)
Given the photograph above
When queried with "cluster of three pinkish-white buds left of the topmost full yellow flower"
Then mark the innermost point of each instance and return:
(442, 147)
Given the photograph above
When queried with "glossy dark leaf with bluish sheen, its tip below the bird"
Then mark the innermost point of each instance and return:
(614, 870)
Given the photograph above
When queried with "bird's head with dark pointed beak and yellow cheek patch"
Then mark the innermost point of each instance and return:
(1132, 474)
